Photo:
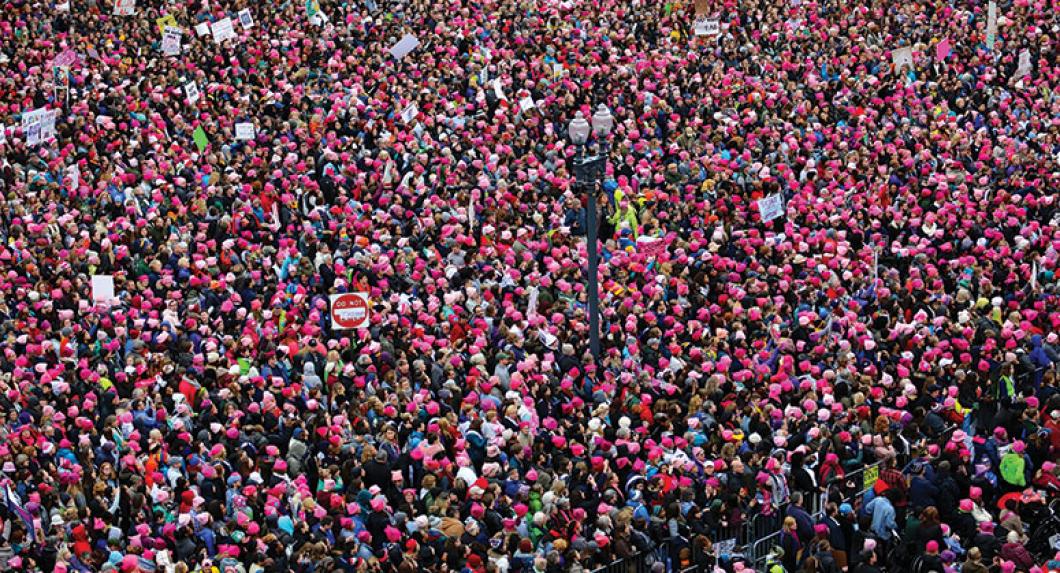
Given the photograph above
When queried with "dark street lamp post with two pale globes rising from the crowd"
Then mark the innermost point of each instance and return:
(589, 174)
